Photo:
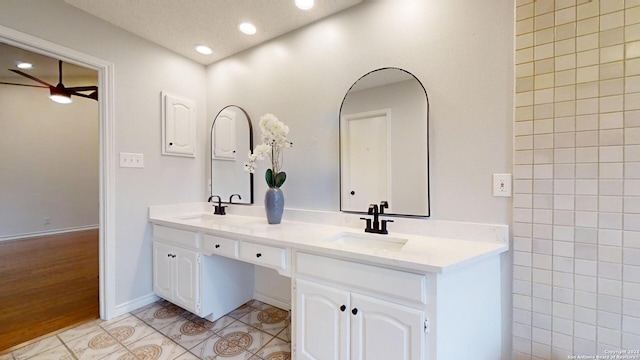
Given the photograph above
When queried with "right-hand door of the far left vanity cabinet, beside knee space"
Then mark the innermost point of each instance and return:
(187, 279)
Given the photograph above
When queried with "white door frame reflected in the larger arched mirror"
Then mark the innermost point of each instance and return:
(345, 158)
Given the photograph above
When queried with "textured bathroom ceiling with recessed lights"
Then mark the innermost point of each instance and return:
(179, 25)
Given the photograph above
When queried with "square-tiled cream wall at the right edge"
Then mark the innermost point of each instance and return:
(576, 230)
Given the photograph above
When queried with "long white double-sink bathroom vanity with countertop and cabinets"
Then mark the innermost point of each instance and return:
(430, 291)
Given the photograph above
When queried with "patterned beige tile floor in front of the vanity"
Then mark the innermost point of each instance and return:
(163, 331)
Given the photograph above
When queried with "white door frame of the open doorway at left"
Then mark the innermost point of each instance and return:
(106, 191)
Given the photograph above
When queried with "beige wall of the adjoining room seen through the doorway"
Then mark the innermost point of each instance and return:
(48, 161)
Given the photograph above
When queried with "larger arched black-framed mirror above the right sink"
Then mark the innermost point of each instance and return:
(384, 149)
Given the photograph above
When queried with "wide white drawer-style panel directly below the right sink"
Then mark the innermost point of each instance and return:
(393, 283)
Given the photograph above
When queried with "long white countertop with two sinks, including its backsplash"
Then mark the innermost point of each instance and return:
(420, 253)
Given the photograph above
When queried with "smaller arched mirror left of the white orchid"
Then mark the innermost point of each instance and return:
(231, 140)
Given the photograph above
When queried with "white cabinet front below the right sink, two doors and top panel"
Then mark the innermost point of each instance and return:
(346, 310)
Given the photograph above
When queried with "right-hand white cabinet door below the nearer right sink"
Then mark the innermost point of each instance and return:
(381, 330)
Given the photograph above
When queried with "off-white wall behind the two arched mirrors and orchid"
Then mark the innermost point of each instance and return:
(460, 50)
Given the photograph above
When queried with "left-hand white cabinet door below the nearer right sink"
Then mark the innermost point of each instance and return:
(322, 322)
